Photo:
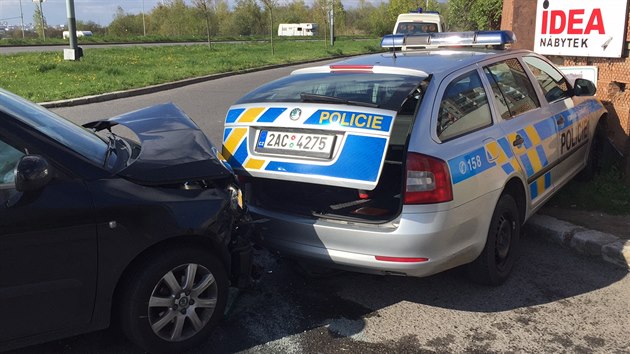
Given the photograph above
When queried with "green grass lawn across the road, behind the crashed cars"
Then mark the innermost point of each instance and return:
(43, 77)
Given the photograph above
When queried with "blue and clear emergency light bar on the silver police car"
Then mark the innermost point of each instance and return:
(448, 39)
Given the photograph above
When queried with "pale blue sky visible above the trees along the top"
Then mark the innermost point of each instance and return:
(99, 11)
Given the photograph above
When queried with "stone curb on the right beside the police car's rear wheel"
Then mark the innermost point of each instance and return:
(594, 243)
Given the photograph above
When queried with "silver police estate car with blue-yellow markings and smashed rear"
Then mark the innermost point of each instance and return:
(416, 161)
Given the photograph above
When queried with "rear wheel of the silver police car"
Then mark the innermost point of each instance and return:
(494, 264)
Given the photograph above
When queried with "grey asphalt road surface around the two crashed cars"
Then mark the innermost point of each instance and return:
(555, 301)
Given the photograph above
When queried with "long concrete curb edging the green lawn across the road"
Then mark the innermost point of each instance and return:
(168, 86)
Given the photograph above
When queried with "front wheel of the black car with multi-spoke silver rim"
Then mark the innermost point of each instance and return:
(173, 299)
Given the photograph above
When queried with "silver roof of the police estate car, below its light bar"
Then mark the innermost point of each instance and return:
(441, 60)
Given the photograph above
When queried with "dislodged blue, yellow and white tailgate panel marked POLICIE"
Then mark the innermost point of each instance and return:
(329, 144)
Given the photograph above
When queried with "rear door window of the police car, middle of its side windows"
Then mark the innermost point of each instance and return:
(512, 88)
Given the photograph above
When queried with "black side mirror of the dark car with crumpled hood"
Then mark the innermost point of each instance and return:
(33, 172)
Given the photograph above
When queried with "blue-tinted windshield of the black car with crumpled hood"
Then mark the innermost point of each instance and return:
(57, 128)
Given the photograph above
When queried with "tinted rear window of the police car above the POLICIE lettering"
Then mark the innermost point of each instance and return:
(387, 91)
